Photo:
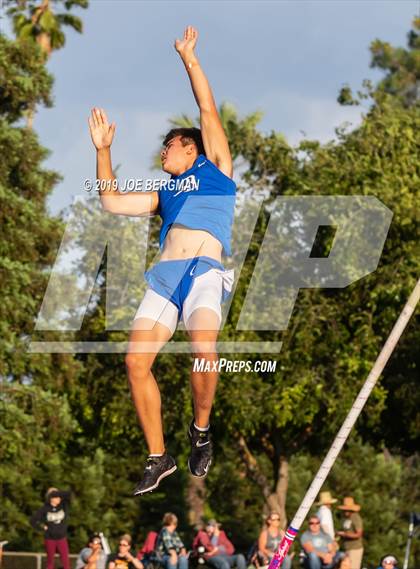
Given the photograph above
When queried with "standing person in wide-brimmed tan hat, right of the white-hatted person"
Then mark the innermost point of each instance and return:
(352, 532)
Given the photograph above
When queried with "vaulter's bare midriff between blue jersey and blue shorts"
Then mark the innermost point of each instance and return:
(184, 243)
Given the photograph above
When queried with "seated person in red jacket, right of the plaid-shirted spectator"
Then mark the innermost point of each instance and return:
(219, 551)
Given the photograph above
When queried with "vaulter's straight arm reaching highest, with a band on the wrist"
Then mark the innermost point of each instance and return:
(214, 137)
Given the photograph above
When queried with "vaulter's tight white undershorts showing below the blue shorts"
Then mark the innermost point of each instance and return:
(206, 291)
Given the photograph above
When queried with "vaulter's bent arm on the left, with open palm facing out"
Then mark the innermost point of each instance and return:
(136, 204)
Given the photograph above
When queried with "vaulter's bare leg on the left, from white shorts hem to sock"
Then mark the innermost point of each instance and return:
(143, 385)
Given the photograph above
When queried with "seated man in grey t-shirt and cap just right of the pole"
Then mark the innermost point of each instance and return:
(318, 547)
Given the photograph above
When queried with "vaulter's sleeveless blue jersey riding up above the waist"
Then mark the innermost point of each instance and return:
(200, 198)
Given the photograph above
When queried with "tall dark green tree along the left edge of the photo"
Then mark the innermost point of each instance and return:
(36, 420)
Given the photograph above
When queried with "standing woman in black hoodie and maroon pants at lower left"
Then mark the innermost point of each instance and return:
(52, 518)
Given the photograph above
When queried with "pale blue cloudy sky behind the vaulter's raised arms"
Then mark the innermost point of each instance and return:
(288, 59)
